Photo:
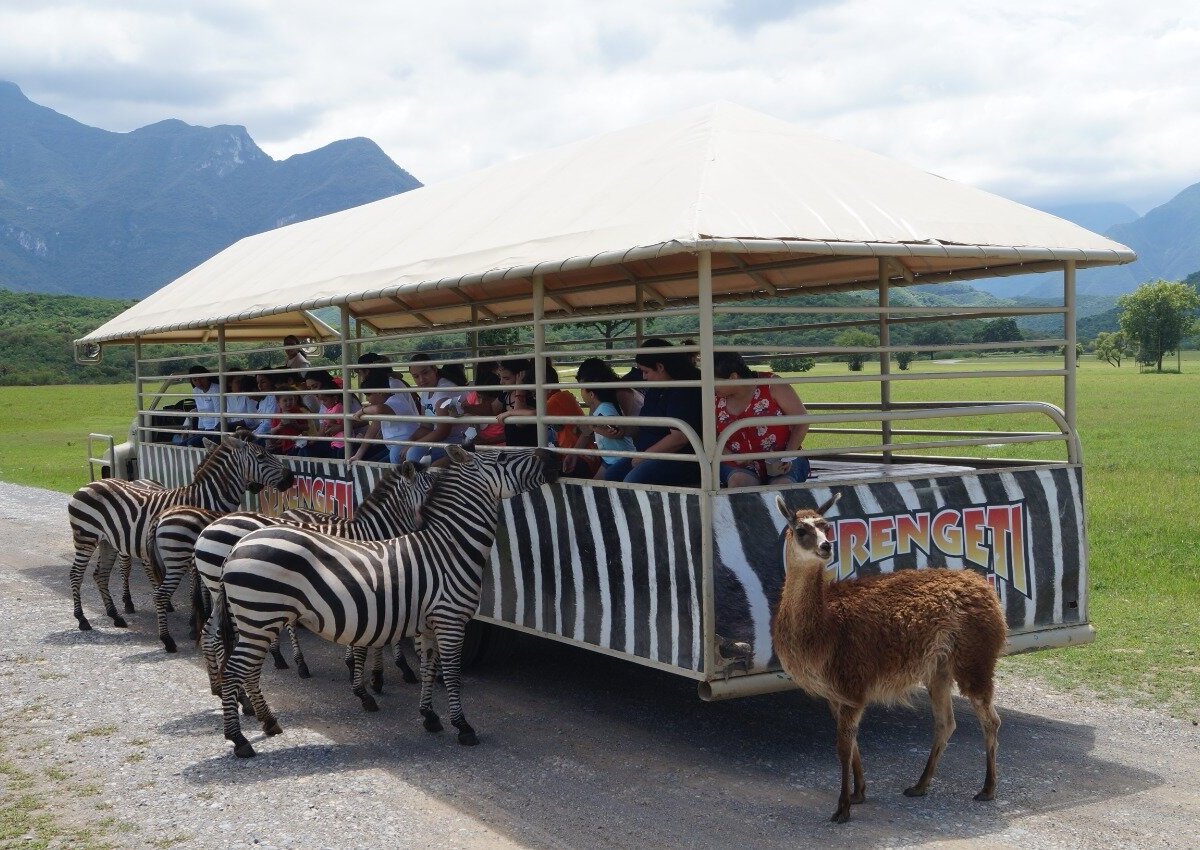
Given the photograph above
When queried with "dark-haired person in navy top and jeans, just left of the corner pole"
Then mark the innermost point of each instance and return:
(679, 403)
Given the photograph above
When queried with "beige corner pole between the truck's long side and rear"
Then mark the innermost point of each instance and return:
(709, 469)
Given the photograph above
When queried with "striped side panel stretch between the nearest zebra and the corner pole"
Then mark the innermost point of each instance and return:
(611, 567)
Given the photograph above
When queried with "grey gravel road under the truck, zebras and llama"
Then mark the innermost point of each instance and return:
(122, 744)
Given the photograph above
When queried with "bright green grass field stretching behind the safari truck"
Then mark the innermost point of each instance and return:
(1142, 470)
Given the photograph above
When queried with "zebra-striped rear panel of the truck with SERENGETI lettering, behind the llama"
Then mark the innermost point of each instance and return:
(1023, 530)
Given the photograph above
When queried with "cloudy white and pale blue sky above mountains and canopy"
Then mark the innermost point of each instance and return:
(1051, 103)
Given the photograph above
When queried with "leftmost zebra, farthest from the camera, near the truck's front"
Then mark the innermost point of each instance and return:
(117, 517)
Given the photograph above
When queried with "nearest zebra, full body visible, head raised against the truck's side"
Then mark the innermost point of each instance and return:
(371, 594)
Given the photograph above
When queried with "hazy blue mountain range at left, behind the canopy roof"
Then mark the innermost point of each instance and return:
(89, 212)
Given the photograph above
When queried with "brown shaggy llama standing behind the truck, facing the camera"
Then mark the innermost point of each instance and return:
(875, 639)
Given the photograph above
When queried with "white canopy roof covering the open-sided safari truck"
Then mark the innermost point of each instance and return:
(781, 207)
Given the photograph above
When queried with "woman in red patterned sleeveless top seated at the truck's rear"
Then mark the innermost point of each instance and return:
(739, 403)
